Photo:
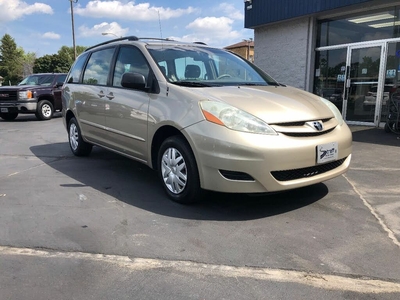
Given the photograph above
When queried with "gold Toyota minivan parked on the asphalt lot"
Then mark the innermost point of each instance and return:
(203, 118)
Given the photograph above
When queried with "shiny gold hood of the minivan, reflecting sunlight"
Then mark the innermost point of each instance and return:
(272, 104)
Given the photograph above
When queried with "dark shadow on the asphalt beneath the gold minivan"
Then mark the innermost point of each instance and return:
(138, 185)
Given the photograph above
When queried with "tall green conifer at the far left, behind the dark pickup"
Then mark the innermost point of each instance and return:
(11, 60)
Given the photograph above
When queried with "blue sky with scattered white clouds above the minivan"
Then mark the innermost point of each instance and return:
(43, 26)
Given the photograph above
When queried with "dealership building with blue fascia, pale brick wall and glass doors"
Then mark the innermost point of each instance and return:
(347, 51)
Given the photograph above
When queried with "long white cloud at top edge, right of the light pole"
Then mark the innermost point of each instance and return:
(130, 11)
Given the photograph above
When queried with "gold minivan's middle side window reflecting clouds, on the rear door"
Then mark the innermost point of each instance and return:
(98, 67)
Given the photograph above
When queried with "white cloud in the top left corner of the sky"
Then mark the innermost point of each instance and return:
(15, 9)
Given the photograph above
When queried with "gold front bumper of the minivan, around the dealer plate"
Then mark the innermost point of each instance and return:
(218, 149)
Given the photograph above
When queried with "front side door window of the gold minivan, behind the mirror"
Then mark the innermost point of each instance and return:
(129, 59)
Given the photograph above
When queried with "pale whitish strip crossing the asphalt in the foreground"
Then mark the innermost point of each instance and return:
(352, 283)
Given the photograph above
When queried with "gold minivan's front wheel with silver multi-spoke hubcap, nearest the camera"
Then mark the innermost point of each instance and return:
(178, 171)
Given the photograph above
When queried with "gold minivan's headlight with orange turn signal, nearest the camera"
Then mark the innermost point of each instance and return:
(234, 118)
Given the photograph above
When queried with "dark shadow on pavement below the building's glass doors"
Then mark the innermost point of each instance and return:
(373, 135)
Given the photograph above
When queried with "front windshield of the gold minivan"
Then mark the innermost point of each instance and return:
(202, 67)
